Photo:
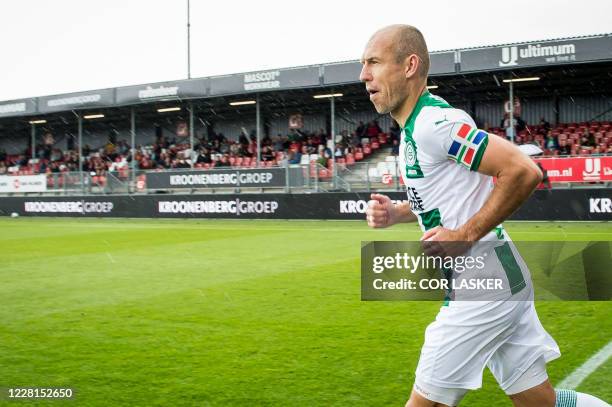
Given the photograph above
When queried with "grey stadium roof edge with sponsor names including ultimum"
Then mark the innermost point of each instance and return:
(533, 56)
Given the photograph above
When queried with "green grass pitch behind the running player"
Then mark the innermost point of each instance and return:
(224, 313)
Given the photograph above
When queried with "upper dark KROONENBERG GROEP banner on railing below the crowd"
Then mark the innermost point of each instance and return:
(261, 178)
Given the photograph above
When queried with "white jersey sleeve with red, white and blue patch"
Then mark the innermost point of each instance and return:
(454, 136)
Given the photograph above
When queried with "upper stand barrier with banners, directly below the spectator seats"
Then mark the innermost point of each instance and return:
(359, 176)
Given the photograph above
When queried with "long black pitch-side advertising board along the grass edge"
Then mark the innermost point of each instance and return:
(593, 204)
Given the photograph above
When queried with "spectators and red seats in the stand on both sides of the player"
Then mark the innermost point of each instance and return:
(294, 147)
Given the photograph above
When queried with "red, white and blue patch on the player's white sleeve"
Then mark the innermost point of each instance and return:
(468, 145)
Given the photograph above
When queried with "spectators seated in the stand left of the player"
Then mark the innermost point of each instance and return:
(215, 150)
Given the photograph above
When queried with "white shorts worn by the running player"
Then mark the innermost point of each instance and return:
(466, 336)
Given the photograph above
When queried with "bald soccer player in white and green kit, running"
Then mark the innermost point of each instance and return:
(447, 166)
